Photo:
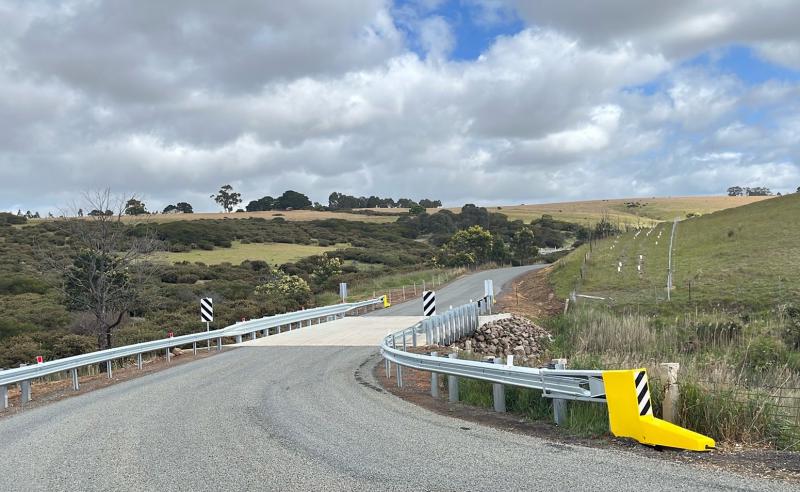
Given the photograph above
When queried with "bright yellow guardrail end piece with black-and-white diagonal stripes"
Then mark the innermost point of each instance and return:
(630, 414)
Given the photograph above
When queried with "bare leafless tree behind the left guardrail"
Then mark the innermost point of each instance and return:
(105, 272)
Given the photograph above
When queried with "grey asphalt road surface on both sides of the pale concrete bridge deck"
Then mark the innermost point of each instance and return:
(267, 417)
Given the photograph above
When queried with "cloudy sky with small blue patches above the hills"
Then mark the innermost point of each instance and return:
(485, 101)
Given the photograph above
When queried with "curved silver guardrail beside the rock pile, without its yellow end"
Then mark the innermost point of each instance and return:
(448, 327)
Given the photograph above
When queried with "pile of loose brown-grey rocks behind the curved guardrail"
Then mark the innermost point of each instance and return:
(510, 336)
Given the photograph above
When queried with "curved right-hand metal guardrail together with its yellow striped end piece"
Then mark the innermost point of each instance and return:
(626, 392)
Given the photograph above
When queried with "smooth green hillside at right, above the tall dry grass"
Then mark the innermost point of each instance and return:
(739, 257)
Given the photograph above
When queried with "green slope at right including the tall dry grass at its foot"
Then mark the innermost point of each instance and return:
(733, 323)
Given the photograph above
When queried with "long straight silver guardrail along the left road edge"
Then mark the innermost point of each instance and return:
(27, 373)
